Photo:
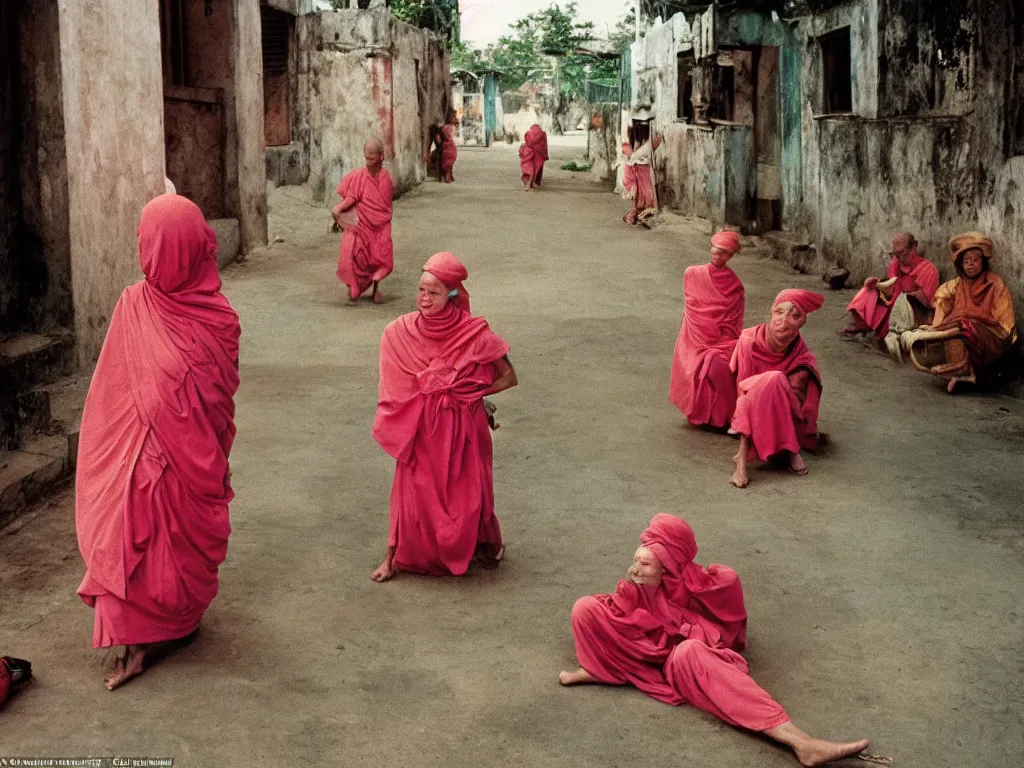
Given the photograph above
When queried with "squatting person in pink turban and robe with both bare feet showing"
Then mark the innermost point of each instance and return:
(779, 388)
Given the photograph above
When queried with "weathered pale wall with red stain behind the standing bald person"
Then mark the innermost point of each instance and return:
(363, 74)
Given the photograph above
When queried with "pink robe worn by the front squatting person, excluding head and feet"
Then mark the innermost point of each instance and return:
(767, 410)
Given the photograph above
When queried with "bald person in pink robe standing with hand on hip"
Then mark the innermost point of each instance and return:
(367, 251)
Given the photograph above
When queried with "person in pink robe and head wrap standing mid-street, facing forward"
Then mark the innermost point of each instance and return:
(437, 366)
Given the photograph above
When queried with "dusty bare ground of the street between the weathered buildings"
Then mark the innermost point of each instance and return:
(883, 589)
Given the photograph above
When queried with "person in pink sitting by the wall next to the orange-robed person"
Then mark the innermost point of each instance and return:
(910, 275)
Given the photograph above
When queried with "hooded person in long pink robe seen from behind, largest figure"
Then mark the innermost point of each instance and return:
(154, 485)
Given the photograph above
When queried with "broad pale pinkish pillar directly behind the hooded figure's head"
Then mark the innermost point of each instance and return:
(113, 104)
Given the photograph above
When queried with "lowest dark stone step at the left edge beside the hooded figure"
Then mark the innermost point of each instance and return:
(42, 466)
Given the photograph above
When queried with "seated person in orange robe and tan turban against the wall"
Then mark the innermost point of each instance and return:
(974, 323)
